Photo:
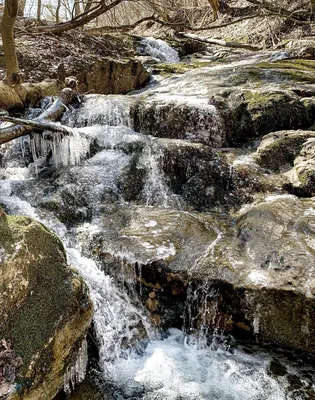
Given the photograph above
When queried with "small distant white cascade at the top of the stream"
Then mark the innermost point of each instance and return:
(159, 49)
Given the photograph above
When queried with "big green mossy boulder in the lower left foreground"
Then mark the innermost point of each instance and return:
(44, 305)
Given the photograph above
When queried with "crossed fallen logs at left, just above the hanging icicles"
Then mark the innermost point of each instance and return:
(22, 127)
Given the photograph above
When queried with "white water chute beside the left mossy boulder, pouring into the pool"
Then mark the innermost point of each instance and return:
(118, 324)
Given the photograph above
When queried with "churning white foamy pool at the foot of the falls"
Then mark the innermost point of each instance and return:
(171, 369)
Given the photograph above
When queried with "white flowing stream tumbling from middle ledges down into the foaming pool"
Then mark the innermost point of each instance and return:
(136, 362)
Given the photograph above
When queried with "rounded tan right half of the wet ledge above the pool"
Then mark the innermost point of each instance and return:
(263, 270)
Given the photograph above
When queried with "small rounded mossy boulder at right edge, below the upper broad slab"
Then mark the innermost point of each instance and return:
(278, 150)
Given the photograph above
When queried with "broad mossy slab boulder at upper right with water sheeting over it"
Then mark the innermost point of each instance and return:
(227, 104)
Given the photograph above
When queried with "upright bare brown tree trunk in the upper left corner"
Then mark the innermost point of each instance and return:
(7, 31)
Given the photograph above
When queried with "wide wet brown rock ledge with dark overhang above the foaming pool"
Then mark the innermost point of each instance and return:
(253, 276)
